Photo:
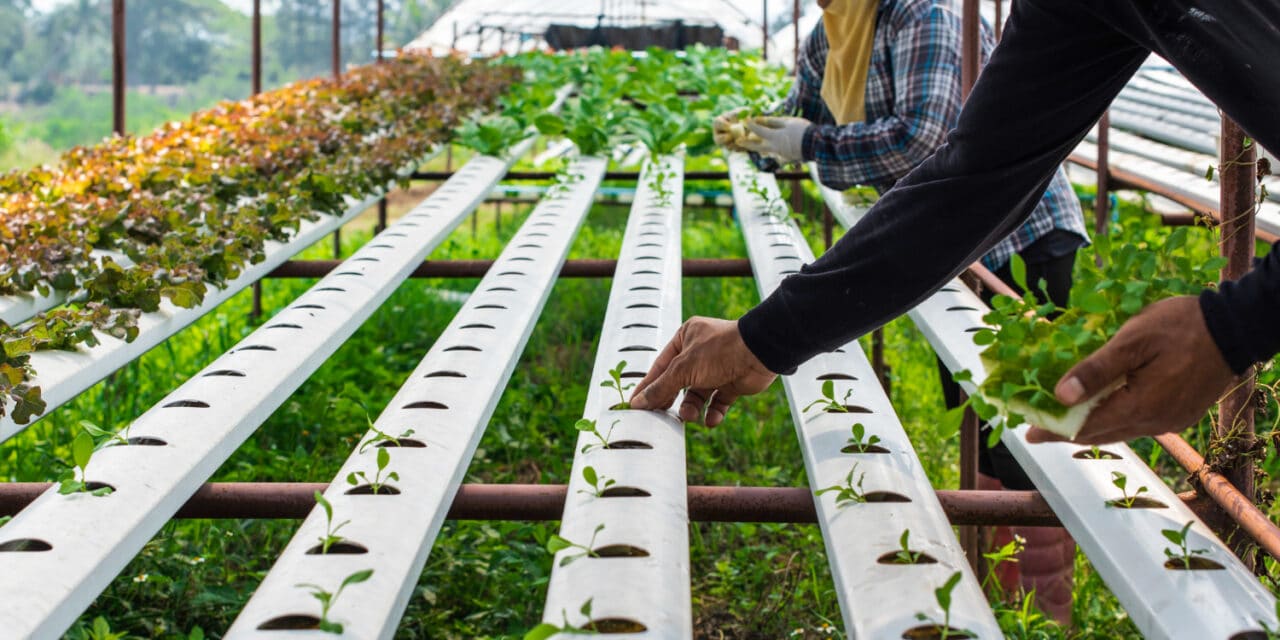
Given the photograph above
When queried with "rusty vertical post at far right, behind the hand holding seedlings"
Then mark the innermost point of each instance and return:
(1235, 431)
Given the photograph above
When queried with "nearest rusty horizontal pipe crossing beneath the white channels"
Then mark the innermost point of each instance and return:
(546, 502)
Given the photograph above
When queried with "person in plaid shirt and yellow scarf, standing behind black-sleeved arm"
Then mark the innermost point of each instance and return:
(911, 102)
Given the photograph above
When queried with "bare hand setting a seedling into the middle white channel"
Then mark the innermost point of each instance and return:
(707, 358)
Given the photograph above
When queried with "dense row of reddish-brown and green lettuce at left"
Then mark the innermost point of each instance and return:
(190, 205)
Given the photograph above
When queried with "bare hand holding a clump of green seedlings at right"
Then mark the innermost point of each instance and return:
(1172, 368)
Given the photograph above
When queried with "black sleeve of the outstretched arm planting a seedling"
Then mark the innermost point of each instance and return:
(1048, 83)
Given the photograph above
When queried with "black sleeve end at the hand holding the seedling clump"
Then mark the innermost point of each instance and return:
(1244, 317)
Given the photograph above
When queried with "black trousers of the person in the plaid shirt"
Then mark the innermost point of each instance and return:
(998, 461)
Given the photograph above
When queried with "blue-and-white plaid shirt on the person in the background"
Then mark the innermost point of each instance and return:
(913, 100)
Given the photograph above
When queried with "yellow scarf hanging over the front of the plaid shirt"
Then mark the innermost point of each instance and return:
(851, 28)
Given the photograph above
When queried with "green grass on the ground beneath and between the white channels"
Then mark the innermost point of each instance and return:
(487, 579)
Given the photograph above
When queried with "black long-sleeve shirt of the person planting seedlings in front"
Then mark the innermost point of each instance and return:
(1053, 76)
